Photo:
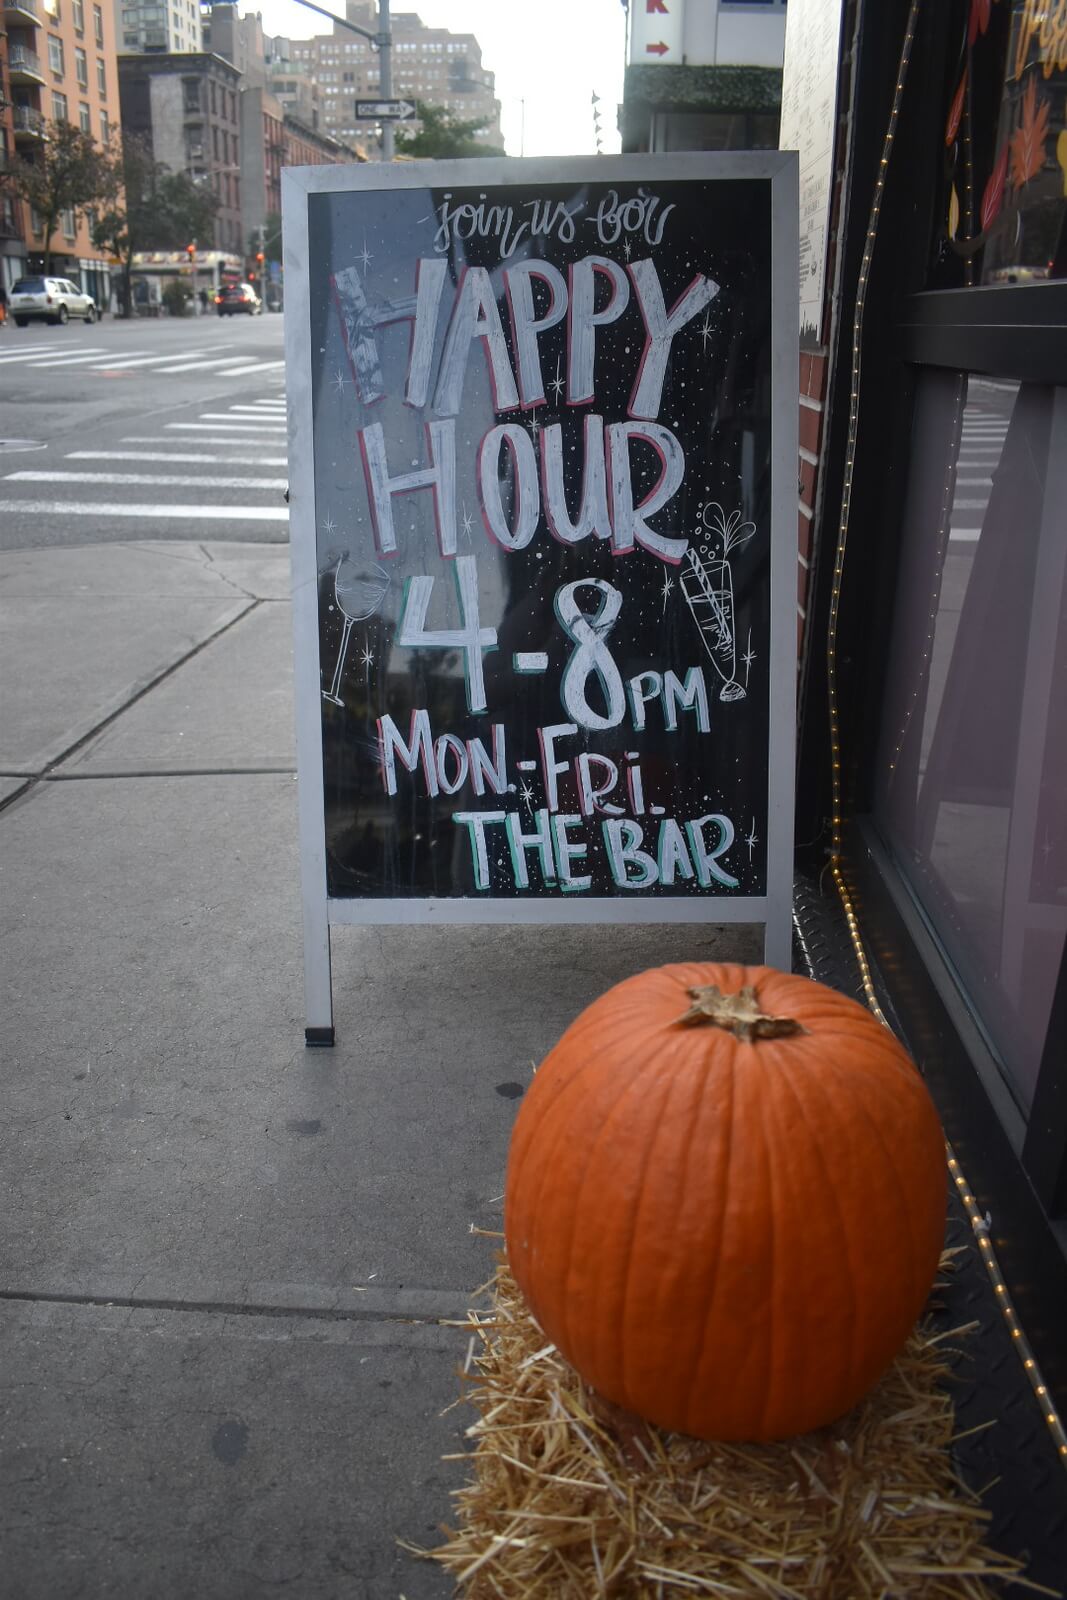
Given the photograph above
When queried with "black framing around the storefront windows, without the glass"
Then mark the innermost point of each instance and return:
(1017, 1166)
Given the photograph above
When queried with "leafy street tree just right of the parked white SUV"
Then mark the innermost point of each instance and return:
(150, 207)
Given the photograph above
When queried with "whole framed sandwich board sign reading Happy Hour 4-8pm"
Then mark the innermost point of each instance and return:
(543, 463)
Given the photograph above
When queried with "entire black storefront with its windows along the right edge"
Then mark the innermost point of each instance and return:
(951, 652)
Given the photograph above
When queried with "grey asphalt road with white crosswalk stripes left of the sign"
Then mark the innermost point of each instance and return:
(143, 430)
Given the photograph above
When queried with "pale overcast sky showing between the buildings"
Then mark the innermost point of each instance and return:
(551, 55)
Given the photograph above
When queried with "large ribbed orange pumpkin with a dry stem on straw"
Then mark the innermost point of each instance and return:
(727, 1199)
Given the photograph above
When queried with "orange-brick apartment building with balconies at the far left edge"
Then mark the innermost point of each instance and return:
(60, 68)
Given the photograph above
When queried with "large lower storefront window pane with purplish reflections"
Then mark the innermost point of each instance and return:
(972, 775)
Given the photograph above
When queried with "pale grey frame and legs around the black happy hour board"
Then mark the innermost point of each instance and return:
(775, 908)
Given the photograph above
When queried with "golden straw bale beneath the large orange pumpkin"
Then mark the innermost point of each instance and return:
(572, 1498)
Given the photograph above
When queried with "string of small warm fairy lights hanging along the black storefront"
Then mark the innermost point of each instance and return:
(980, 1225)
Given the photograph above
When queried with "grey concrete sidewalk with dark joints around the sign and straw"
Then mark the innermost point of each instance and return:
(228, 1263)
